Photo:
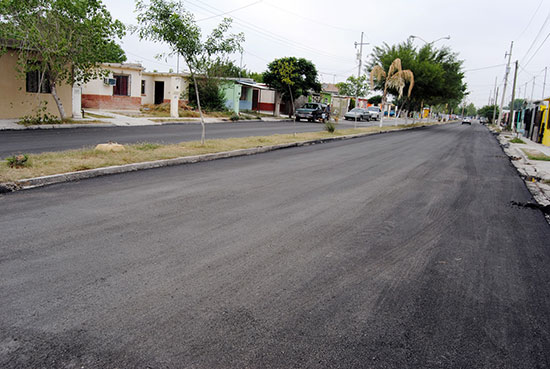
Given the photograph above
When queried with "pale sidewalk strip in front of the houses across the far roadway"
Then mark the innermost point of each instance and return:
(114, 119)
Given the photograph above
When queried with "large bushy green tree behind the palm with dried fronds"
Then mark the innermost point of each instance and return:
(438, 75)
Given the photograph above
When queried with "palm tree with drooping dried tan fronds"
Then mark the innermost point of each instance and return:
(395, 78)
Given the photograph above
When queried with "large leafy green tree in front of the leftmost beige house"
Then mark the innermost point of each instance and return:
(65, 41)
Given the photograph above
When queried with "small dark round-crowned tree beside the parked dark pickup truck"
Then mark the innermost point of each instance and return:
(302, 77)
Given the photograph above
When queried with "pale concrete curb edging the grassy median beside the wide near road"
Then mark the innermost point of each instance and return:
(25, 184)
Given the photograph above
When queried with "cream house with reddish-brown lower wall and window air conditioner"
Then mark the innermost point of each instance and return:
(128, 86)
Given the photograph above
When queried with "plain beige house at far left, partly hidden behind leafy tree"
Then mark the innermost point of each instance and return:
(19, 95)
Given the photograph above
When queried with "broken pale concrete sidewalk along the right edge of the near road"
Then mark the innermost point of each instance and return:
(535, 172)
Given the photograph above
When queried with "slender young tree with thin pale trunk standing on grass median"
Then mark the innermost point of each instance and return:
(168, 21)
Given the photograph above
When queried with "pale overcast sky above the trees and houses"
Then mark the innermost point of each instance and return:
(324, 32)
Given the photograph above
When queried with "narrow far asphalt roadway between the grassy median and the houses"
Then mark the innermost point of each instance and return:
(35, 141)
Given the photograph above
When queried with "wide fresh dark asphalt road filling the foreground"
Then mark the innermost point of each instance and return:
(399, 250)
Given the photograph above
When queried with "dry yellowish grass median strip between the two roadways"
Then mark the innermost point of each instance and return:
(49, 163)
